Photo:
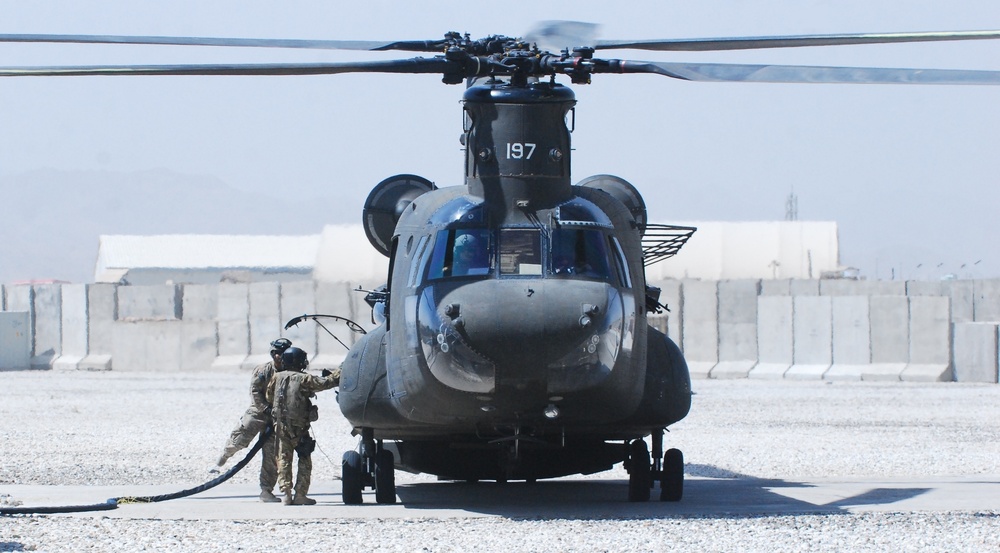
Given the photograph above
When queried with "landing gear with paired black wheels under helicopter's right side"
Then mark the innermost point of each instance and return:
(645, 470)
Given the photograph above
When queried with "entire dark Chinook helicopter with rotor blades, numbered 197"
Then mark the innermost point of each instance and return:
(513, 341)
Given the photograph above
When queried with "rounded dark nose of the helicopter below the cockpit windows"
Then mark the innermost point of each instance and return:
(495, 335)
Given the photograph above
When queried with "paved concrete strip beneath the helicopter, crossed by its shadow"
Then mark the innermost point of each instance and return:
(562, 498)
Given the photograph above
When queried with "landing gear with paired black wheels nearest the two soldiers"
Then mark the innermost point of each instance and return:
(371, 466)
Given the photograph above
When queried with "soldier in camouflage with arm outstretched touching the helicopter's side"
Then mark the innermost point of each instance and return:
(289, 392)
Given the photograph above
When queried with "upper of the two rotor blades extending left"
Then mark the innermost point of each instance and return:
(407, 45)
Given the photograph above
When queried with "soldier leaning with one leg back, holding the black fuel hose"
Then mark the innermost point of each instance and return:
(258, 418)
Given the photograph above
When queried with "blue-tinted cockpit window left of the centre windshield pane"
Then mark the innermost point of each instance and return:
(460, 252)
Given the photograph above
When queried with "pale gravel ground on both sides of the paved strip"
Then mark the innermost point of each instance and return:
(79, 428)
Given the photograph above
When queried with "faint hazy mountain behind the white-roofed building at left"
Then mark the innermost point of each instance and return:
(50, 225)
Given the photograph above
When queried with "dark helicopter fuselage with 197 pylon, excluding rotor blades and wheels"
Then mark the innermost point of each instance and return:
(516, 304)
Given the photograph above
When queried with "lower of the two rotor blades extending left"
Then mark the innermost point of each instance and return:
(415, 65)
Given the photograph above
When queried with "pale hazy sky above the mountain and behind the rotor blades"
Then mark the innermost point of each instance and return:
(910, 173)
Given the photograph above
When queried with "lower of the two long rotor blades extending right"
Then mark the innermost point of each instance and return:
(804, 74)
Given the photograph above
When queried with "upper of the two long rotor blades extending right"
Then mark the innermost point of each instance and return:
(753, 43)
